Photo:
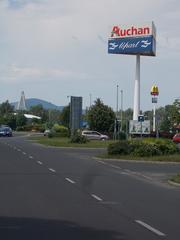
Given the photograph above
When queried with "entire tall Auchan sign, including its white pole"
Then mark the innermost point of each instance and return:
(134, 39)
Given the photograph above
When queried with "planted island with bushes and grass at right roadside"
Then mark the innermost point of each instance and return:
(144, 149)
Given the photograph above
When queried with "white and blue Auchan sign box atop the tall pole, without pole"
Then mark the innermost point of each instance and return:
(133, 39)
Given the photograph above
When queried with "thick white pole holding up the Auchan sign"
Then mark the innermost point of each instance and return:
(137, 90)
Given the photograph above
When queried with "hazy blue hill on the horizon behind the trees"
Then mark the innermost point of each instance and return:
(35, 101)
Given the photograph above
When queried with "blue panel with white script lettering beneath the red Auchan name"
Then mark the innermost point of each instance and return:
(134, 45)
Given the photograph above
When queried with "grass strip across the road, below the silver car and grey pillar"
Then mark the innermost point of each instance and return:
(65, 142)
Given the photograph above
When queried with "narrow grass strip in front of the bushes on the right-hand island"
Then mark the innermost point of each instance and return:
(164, 158)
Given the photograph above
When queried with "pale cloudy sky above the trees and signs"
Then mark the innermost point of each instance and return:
(52, 49)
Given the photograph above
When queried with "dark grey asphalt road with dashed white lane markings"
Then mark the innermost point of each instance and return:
(58, 193)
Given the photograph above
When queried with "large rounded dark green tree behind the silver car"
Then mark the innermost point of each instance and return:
(101, 117)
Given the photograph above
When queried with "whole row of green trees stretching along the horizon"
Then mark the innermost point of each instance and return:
(99, 117)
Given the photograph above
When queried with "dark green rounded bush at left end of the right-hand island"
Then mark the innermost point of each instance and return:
(121, 147)
